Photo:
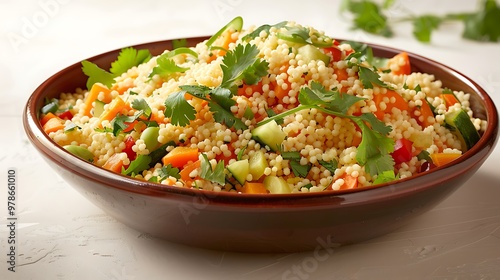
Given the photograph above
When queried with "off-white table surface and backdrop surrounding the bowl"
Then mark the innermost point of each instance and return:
(61, 235)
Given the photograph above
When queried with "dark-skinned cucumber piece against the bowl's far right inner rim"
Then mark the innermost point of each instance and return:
(461, 122)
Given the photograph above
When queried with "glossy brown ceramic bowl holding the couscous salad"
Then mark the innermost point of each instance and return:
(261, 223)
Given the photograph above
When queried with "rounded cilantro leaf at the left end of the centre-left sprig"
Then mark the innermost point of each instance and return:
(178, 109)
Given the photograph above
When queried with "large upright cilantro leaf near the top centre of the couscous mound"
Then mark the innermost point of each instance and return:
(242, 65)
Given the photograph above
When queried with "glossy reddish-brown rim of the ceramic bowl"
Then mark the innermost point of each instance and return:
(45, 145)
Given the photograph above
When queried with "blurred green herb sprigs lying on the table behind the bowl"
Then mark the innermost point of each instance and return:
(371, 16)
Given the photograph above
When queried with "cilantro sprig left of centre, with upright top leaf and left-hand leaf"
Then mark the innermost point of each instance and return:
(240, 65)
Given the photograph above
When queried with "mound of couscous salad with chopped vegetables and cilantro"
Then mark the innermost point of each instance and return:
(278, 108)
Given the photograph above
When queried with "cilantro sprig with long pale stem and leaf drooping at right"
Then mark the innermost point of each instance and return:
(375, 147)
